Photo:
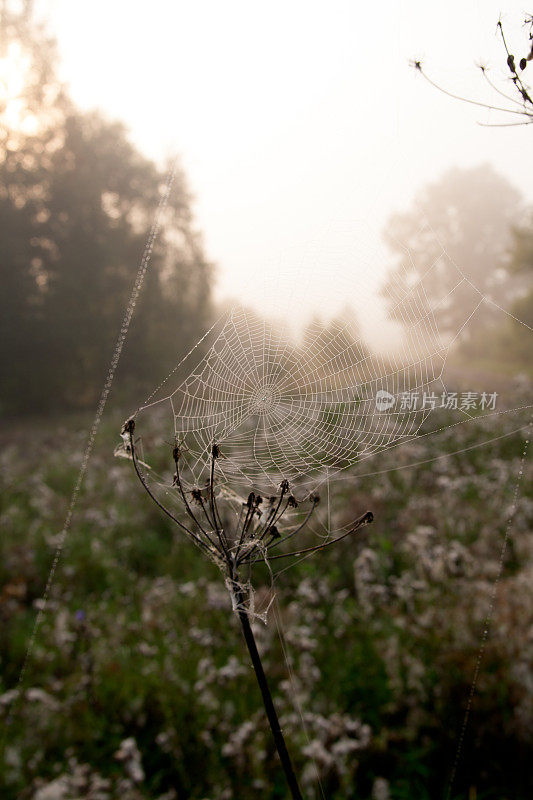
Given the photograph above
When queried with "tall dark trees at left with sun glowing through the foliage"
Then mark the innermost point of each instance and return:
(76, 203)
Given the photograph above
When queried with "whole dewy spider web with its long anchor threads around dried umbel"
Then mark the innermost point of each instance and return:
(308, 407)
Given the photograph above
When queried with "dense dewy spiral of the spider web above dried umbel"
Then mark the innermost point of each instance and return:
(280, 408)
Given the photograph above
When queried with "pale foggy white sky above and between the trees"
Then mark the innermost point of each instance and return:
(295, 120)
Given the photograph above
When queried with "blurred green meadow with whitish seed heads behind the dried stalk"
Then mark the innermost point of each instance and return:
(139, 686)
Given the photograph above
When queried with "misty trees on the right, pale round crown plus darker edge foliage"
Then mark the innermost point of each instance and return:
(482, 223)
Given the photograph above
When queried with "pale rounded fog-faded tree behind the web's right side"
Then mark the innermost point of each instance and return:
(468, 212)
